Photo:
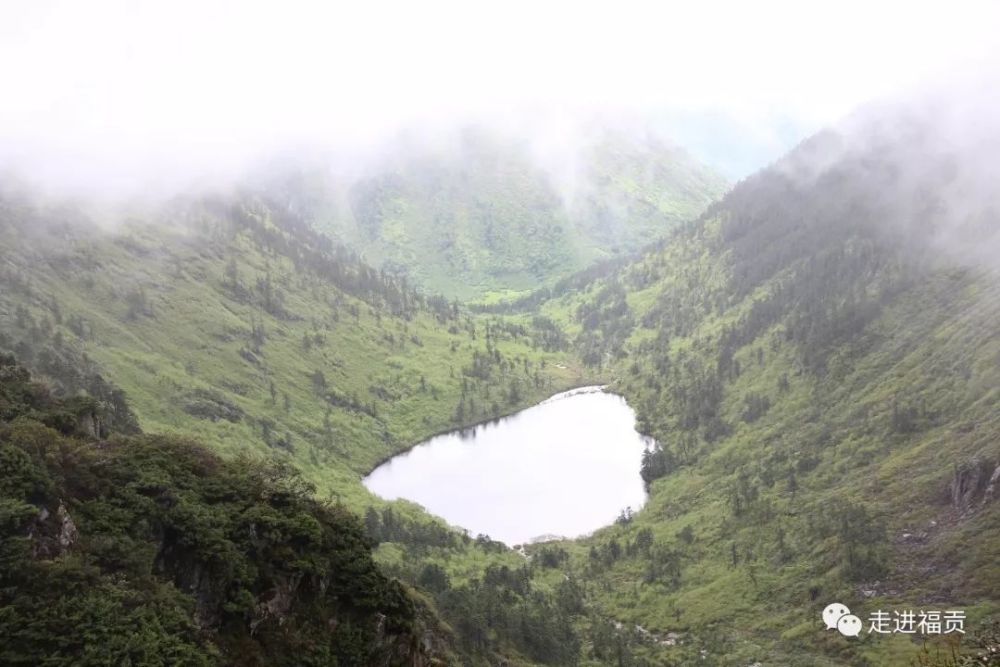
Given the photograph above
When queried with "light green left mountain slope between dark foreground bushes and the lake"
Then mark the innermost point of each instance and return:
(227, 321)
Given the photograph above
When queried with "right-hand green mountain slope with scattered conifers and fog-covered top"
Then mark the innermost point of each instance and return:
(818, 359)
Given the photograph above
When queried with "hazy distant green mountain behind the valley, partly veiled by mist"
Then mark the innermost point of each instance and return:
(481, 219)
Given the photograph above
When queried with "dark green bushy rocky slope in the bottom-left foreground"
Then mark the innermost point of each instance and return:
(150, 550)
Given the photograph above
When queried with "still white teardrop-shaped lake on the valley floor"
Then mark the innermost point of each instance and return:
(565, 467)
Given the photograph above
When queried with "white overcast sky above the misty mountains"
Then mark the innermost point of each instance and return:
(104, 88)
